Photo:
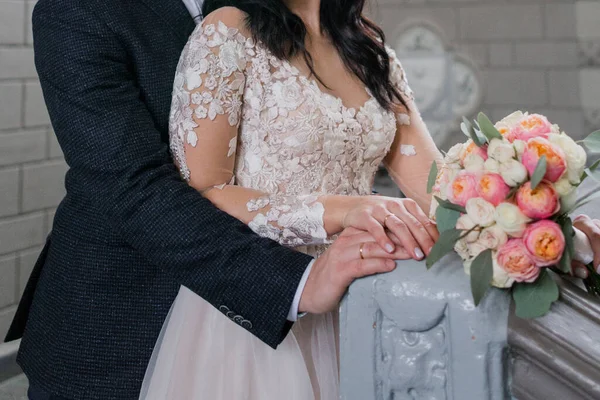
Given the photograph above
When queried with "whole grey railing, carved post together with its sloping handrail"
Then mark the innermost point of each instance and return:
(415, 334)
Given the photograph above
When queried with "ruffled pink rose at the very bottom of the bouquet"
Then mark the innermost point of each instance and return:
(514, 258)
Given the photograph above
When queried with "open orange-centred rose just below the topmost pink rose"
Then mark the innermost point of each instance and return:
(556, 163)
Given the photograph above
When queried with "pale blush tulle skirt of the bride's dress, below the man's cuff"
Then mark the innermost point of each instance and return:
(202, 354)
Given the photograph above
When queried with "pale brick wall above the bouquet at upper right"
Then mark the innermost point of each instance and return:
(527, 50)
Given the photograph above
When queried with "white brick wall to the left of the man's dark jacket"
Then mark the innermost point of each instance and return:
(31, 164)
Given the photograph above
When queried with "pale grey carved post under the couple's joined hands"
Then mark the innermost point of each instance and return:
(416, 334)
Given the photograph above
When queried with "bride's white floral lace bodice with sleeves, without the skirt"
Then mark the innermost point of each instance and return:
(243, 117)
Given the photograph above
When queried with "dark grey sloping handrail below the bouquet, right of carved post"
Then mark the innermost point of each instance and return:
(558, 355)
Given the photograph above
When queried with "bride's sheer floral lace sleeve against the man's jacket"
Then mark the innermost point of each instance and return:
(207, 107)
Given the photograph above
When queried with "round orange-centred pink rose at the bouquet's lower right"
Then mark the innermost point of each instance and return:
(545, 241)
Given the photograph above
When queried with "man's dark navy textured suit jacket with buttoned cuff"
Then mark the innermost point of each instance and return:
(129, 231)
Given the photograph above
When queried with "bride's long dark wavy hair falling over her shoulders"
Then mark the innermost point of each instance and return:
(359, 41)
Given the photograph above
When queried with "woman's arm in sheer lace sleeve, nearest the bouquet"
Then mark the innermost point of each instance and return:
(413, 150)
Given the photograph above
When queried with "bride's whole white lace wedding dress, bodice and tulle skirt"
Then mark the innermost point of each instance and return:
(241, 117)
